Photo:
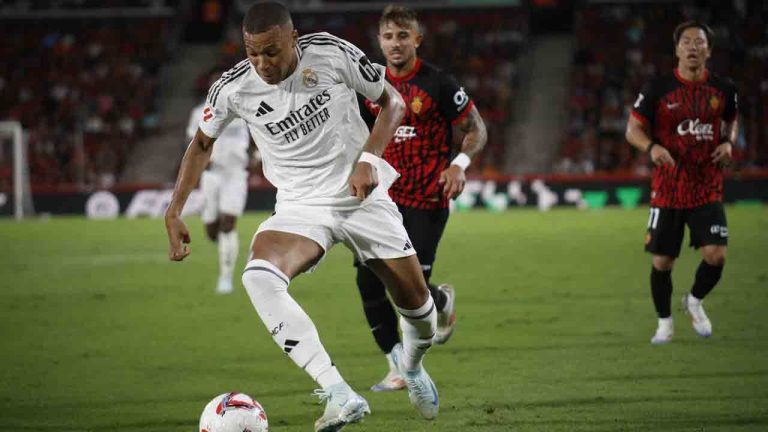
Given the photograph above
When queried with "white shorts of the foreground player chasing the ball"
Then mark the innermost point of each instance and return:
(372, 230)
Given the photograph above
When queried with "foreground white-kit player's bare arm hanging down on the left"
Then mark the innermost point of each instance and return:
(192, 165)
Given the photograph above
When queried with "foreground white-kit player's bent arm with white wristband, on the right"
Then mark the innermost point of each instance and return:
(363, 179)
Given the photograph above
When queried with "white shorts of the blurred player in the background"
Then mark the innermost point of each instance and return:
(224, 192)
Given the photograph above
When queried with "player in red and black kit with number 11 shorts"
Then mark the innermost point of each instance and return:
(677, 120)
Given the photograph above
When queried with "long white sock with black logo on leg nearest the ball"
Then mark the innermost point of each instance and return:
(291, 328)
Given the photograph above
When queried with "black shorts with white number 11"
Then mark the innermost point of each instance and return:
(666, 226)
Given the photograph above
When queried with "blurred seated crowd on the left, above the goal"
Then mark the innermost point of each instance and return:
(84, 93)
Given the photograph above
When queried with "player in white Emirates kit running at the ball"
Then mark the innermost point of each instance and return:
(297, 96)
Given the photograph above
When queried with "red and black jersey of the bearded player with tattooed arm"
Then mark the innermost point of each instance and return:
(422, 147)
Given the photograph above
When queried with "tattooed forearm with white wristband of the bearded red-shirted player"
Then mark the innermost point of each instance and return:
(475, 137)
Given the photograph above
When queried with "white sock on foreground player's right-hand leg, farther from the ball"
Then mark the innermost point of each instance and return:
(418, 326)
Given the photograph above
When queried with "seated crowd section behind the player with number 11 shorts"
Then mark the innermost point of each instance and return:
(620, 47)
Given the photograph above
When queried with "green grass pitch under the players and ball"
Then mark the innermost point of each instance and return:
(99, 332)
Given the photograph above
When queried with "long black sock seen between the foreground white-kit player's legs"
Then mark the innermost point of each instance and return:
(378, 309)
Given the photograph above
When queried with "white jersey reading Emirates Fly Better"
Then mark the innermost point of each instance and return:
(308, 127)
